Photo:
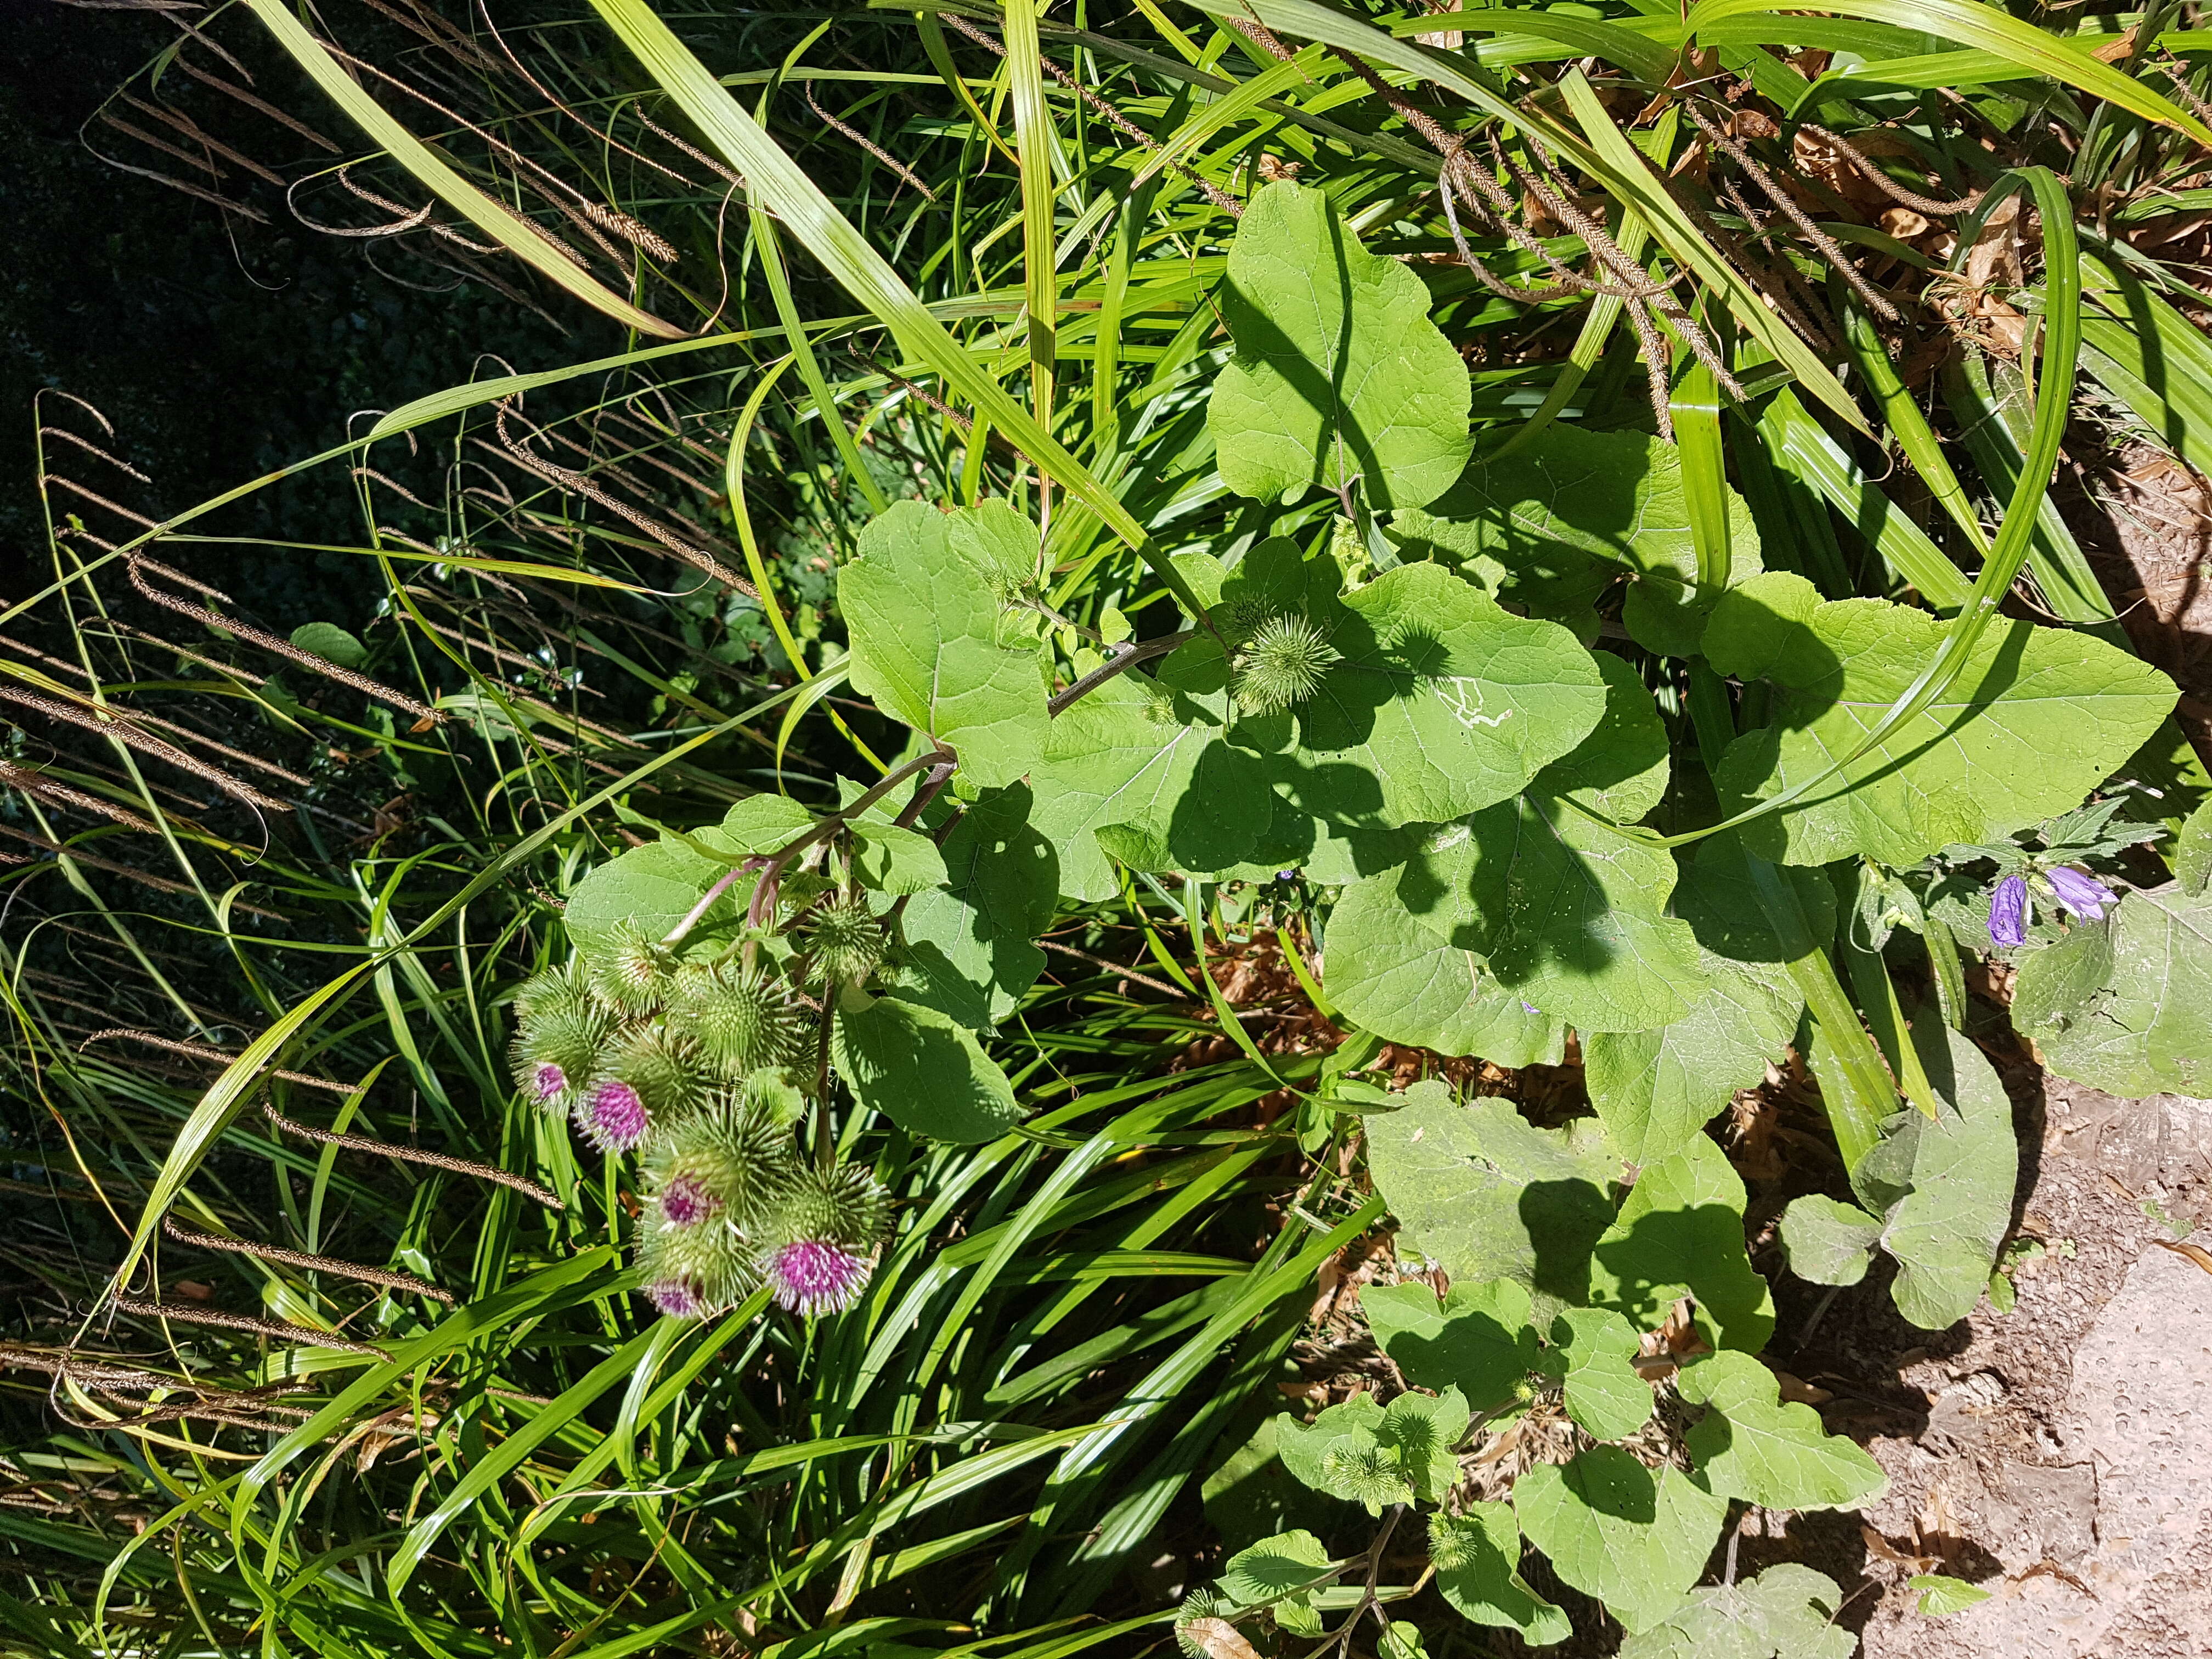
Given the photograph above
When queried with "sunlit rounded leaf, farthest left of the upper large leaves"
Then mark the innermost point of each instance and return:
(924, 607)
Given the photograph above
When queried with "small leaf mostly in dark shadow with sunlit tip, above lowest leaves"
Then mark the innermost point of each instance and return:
(1680, 1233)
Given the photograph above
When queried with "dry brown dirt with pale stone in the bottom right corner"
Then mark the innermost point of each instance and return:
(2060, 1454)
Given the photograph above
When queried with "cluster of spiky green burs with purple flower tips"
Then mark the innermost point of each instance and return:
(696, 1067)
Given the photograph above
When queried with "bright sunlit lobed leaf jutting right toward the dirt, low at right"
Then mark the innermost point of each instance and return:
(1755, 1448)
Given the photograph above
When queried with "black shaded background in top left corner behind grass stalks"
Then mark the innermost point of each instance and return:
(220, 348)
